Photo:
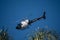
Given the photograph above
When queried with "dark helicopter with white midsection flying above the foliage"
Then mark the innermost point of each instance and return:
(24, 24)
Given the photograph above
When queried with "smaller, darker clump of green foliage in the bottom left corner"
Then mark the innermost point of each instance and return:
(4, 34)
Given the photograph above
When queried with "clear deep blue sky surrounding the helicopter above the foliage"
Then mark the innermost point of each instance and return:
(16, 10)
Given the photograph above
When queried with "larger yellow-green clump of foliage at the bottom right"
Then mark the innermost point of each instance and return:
(43, 34)
